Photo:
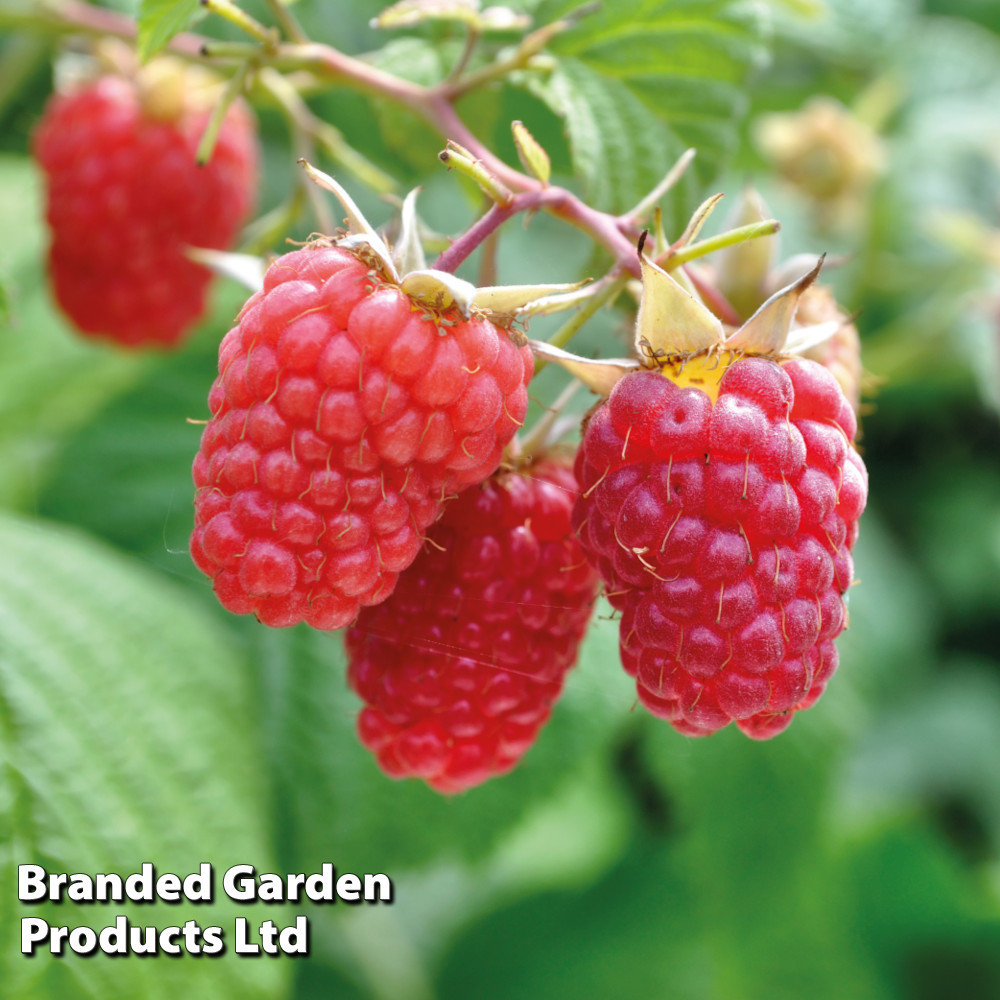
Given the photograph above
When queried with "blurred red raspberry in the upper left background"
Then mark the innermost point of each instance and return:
(125, 196)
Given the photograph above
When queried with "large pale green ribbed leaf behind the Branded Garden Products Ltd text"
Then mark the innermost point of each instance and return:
(126, 736)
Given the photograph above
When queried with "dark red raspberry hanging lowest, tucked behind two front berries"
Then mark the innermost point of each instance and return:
(459, 669)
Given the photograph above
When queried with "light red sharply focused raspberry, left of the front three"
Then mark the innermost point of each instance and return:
(344, 415)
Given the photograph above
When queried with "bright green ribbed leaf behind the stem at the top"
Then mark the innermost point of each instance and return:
(638, 86)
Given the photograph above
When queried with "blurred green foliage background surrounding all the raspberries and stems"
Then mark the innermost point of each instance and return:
(856, 856)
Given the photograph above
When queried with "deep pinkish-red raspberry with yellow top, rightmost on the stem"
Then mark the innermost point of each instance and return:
(724, 530)
